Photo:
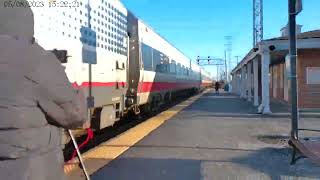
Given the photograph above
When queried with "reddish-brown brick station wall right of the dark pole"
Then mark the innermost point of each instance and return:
(309, 94)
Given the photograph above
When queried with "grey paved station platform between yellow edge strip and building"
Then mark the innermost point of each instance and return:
(216, 137)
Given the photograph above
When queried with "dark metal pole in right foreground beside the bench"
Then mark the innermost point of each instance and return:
(295, 7)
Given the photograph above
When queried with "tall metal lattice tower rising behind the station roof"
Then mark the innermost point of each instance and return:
(257, 21)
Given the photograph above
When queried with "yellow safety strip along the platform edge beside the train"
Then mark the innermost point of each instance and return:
(118, 145)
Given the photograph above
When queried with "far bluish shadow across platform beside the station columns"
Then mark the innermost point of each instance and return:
(231, 105)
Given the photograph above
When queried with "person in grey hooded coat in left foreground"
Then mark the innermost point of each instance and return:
(36, 102)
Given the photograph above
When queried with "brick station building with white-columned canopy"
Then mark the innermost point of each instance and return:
(264, 73)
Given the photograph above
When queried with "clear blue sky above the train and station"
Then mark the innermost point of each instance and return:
(199, 27)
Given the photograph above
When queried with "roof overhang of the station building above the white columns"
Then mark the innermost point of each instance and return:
(279, 47)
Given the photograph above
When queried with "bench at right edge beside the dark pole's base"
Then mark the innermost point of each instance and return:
(307, 147)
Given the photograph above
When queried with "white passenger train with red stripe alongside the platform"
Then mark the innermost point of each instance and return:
(120, 62)
